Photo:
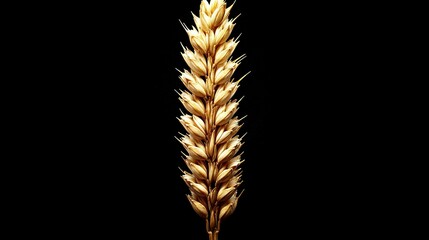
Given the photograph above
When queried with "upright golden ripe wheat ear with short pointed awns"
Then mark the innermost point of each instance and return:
(211, 140)
